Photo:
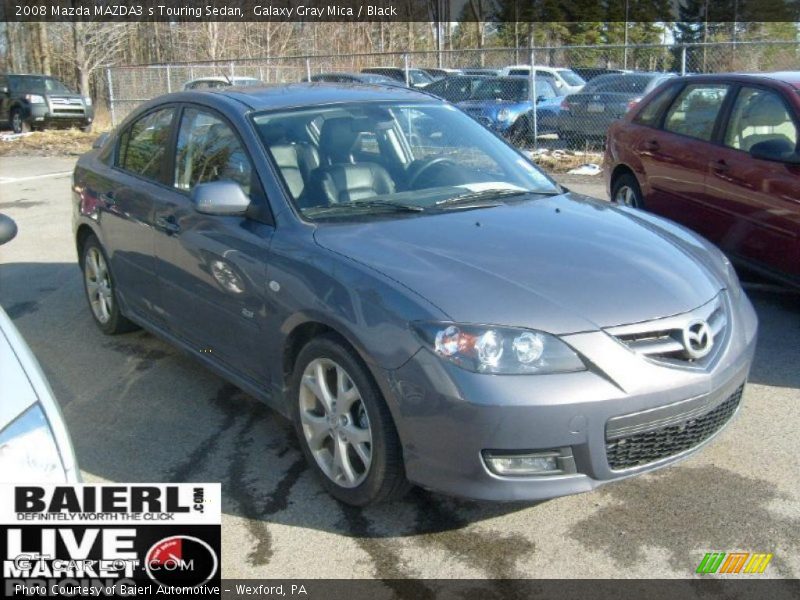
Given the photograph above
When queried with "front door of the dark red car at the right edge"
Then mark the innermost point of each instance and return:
(758, 200)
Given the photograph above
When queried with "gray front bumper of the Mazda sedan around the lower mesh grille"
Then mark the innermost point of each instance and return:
(447, 416)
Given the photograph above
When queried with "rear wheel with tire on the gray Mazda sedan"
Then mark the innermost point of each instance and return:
(98, 283)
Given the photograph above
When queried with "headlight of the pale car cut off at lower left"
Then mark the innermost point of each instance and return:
(28, 451)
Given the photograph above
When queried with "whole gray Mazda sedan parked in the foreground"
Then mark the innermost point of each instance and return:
(423, 302)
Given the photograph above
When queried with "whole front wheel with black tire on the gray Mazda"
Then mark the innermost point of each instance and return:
(345, 429)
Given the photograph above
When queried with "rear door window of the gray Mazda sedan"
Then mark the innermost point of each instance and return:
(143, 146)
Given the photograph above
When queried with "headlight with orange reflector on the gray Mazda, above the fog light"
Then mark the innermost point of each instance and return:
(499, 350)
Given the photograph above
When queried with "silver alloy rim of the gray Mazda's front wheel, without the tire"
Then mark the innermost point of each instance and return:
(335, 423)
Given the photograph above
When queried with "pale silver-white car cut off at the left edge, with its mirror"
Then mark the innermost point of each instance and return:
(35, 446)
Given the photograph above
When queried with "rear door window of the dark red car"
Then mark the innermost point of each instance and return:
(695, 110)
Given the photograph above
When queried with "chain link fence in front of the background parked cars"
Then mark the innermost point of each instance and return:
(577, 91)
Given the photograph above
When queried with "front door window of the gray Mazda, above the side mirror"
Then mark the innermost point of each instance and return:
(208, 150)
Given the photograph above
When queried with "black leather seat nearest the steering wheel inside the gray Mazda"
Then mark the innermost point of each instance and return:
(340, 178)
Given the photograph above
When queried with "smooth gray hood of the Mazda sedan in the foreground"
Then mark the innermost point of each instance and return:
(561, 264)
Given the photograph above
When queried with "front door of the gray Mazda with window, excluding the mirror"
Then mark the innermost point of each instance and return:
(212, 269)
